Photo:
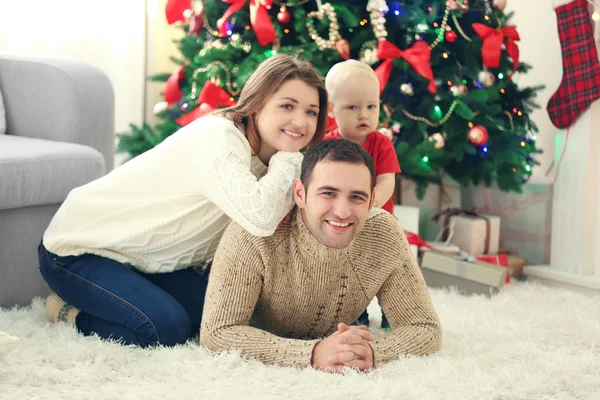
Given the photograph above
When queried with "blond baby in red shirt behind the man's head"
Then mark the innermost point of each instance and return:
(353, 90)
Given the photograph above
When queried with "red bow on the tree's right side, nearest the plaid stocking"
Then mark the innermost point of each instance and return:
(492, 44)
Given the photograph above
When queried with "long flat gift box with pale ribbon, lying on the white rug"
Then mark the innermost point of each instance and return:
(469, 276)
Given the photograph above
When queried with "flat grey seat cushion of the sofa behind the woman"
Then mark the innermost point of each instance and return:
(36, 172)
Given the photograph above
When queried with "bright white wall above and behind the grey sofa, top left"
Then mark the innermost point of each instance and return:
(109, 34)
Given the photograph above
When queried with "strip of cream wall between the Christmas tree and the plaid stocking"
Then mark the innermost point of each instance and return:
(536, 22)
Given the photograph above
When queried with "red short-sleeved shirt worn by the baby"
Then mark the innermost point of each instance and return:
(384, 157)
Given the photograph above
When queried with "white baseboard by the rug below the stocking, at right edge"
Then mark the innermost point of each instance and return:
(547, 275)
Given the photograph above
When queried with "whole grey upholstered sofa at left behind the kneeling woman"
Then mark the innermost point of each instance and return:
(59, 135)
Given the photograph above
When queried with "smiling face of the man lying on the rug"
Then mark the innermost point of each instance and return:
(336, 202)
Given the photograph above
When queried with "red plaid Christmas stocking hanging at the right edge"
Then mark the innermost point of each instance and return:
(580, 84)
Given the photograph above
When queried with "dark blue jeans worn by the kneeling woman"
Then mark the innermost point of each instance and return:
(118, 302)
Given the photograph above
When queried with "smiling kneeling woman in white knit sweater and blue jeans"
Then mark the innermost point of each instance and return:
(120, 252)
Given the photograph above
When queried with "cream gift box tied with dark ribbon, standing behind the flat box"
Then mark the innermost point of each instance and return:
(475, 234)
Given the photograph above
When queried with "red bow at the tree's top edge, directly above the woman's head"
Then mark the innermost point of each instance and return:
(259, 18)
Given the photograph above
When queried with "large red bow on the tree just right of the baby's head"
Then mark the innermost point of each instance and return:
(417, 57)
